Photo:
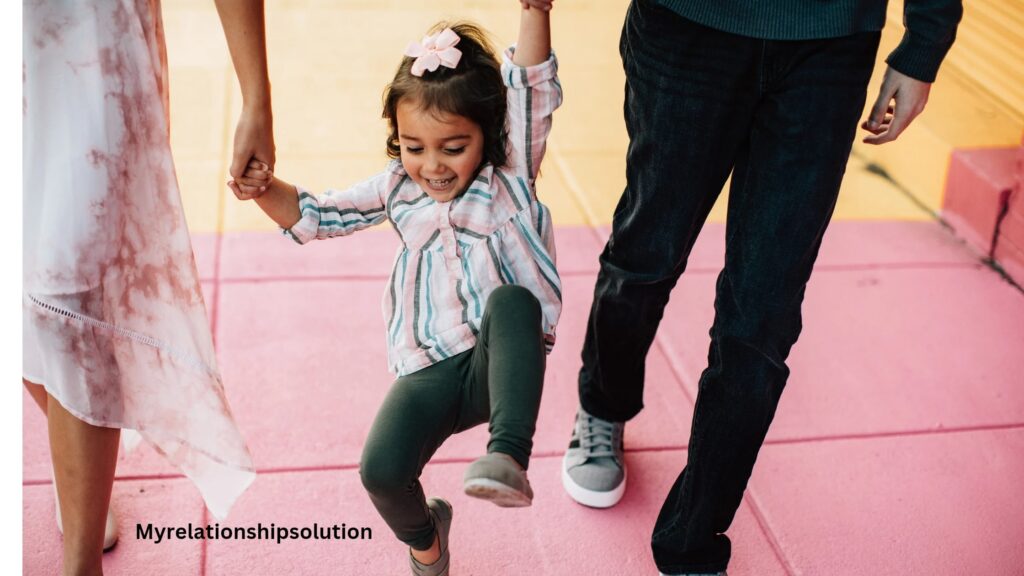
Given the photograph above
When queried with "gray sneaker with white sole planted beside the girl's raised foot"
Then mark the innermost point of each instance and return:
(593, 469)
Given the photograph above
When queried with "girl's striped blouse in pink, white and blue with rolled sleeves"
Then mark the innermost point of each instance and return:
(455, 254)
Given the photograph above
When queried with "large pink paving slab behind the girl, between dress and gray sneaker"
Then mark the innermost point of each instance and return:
(307, 376)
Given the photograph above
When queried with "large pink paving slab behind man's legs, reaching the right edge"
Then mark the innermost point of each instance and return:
(882, 352)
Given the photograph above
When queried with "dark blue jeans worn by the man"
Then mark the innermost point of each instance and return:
(781, 116)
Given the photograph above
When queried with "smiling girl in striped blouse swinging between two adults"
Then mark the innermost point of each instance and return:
(475, 297)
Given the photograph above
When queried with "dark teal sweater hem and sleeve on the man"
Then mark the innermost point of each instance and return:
(931, 25)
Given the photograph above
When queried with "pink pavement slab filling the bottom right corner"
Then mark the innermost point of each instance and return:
(943, 505)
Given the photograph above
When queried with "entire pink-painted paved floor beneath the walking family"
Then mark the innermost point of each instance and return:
(897, 449)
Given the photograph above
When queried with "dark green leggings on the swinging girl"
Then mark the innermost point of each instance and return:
(499, 381)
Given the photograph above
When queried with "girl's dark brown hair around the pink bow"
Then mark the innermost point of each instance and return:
(474, 90)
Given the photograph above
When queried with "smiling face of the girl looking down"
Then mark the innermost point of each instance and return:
(441, 152)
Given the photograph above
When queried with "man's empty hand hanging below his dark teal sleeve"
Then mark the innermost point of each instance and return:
(887, 121)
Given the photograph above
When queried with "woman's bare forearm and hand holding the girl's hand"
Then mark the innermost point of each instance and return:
(244, 29)
